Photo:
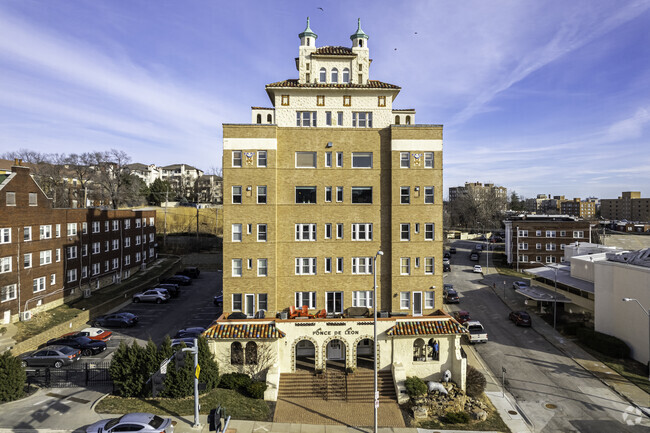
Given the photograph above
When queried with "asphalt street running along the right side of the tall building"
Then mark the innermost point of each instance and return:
(551, 389)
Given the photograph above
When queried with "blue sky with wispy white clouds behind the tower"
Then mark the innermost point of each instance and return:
(538, 96)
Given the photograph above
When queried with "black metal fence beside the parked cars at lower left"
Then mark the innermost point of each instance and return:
(82, 375)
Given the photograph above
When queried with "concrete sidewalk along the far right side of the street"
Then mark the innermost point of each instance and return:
(606, 375)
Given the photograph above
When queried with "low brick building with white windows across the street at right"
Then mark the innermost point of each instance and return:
(542, 238)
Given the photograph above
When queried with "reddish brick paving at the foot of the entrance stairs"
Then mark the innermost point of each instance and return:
(318, 411)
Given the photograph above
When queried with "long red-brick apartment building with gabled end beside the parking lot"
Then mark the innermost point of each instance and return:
(49, 255)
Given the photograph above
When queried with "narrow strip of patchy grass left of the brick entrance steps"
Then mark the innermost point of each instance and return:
(237, 405)
